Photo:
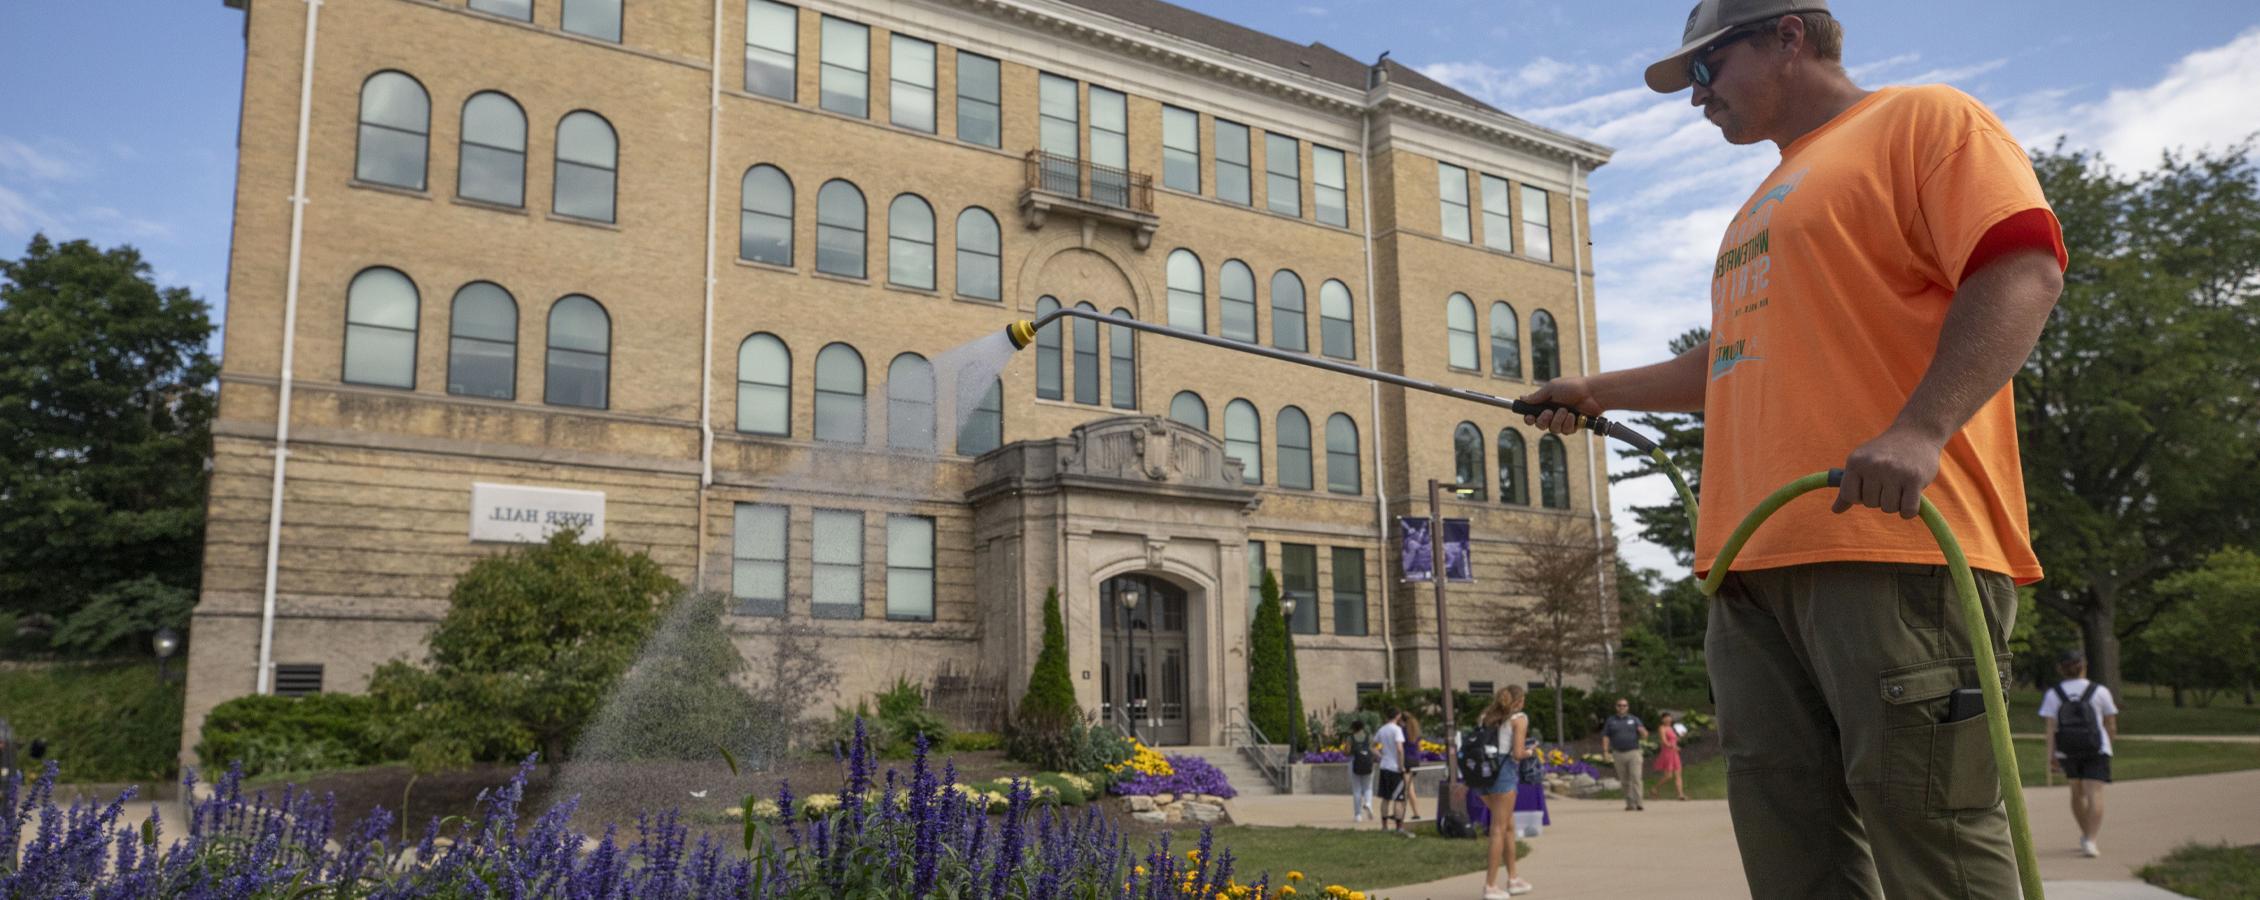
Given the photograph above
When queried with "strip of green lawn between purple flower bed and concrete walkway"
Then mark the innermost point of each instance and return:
(1337, 856)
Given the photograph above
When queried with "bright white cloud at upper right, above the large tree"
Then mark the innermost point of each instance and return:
(2205, 101)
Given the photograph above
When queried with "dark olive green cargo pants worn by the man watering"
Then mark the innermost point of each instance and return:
(1843, 772)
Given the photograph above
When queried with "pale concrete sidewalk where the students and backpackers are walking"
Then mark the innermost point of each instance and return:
(1687, 849)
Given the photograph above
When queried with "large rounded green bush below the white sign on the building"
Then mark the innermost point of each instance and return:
(528, 652)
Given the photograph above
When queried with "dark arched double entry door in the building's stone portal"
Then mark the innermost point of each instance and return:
(1145, 657)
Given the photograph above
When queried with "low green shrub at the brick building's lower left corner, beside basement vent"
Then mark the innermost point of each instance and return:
(293, 734)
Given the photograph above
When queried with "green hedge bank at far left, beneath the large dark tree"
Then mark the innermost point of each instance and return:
(101, 720)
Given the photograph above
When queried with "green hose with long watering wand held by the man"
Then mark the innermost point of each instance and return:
(1997, 707)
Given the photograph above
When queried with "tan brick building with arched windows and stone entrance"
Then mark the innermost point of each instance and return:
(688, 272)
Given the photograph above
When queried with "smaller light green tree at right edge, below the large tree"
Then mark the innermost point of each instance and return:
(2209, 639)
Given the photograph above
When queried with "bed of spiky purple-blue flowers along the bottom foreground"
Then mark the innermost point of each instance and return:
(901, 836)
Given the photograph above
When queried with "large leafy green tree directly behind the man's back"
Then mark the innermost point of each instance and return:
(2137, 410)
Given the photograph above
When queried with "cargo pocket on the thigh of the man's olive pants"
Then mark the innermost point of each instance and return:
(1936, 765)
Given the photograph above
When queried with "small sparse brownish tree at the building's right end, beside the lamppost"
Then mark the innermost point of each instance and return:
(1563, 630)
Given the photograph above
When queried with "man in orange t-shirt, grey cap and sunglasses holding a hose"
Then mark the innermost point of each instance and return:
(1868, 309)
